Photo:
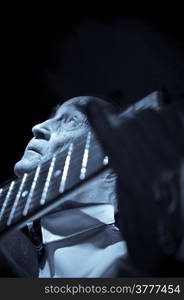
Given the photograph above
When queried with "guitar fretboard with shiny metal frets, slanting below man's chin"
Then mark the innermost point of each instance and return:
(42, 190)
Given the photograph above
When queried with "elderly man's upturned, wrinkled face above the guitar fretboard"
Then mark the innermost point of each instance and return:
(55, 134)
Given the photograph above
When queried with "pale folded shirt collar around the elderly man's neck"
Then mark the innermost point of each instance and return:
(67, 223)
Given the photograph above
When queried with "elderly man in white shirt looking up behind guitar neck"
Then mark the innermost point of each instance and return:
(80, 238)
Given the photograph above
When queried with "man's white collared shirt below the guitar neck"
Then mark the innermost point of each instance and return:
(82, 242)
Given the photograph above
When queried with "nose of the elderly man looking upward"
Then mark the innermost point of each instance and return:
(42, 131)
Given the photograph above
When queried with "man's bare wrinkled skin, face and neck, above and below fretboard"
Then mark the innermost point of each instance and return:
(69, 123)
